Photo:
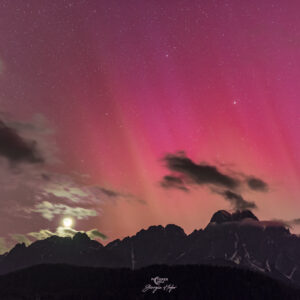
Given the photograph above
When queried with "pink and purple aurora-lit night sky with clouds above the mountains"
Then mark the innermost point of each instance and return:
(126, 114)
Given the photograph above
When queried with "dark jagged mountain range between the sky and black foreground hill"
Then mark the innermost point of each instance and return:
(238, 240)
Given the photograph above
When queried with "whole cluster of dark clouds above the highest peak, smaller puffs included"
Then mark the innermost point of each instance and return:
(186, 173)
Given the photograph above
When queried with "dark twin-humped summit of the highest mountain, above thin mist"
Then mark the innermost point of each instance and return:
(223, 216)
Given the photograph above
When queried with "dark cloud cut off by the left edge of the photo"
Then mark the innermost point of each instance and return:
(15, 148)
